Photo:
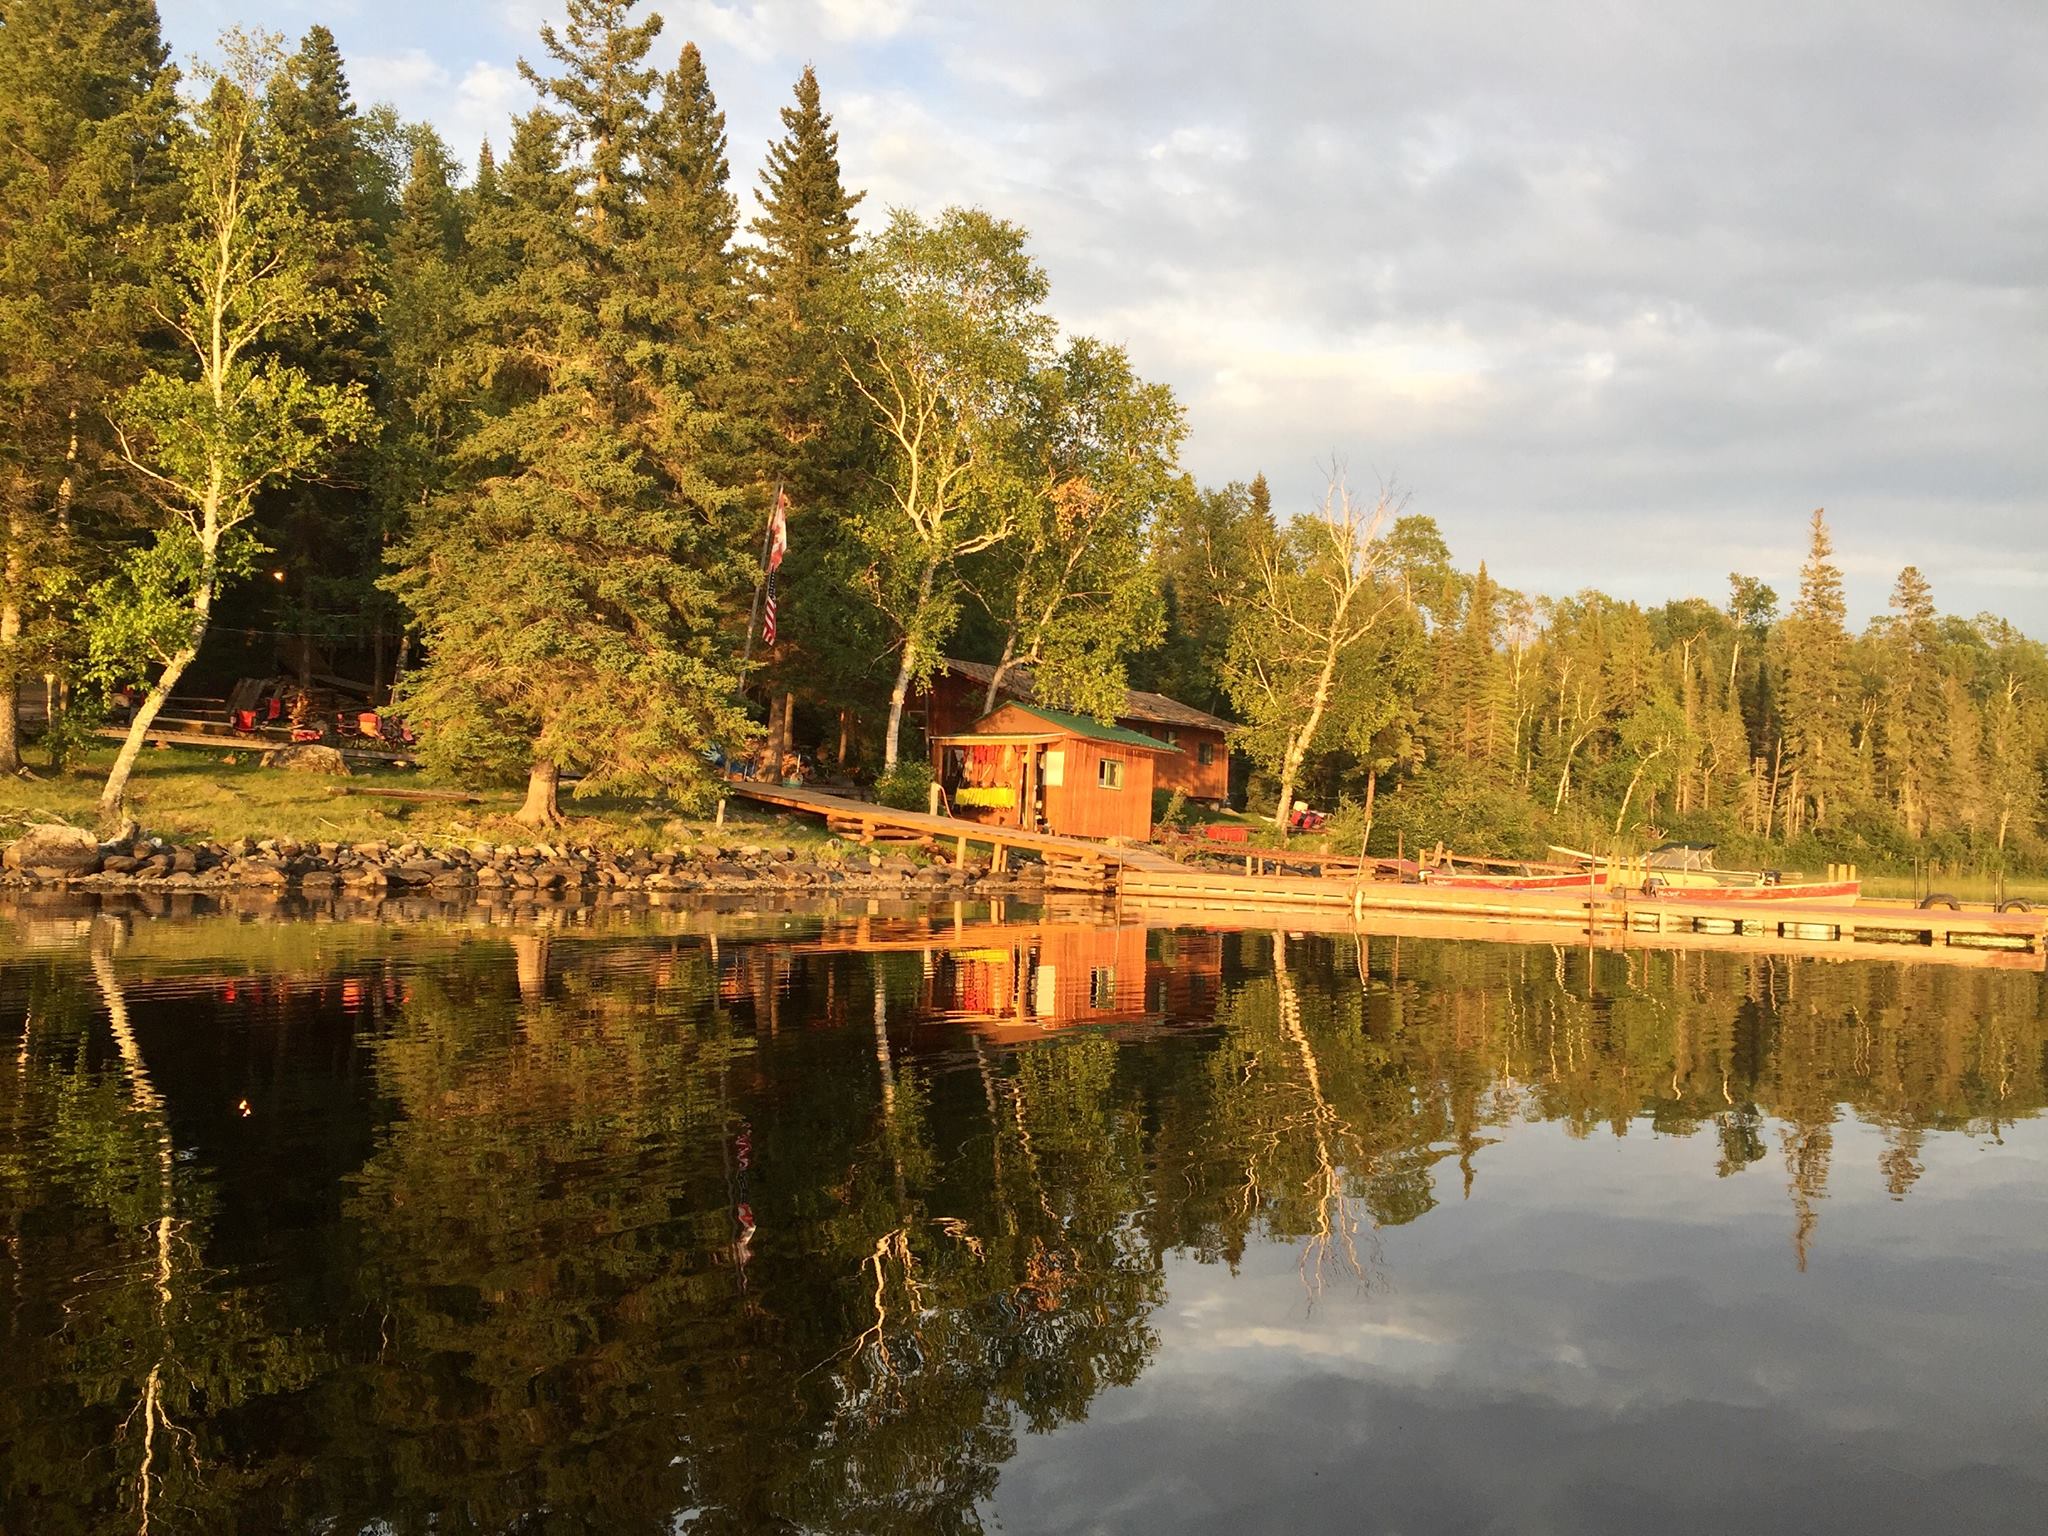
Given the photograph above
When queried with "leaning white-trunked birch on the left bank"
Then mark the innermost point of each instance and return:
(239, 273)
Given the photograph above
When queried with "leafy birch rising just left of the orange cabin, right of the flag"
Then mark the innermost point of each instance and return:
(945, 329)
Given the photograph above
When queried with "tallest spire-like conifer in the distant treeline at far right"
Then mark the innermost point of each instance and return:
(1818, 689)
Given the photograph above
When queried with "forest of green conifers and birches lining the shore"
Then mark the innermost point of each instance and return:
(292, 384)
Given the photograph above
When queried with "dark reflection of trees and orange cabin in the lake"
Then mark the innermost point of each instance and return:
(599, 1228)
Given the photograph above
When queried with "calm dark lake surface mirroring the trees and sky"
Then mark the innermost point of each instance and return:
(882, 1220)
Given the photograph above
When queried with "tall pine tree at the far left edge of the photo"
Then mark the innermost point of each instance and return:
(87, 105)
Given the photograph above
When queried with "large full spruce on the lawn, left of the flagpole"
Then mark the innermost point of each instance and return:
(572, 591)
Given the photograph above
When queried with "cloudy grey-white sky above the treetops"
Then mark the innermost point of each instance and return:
(1617, 292)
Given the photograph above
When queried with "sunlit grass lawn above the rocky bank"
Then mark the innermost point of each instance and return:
(200, 794)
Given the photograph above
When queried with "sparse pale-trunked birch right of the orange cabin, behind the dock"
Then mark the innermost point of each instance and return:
(1314, 601)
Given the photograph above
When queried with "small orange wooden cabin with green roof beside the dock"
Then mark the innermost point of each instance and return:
(1050, 771)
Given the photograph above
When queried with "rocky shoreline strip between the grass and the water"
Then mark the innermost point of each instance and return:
(73, 859)
